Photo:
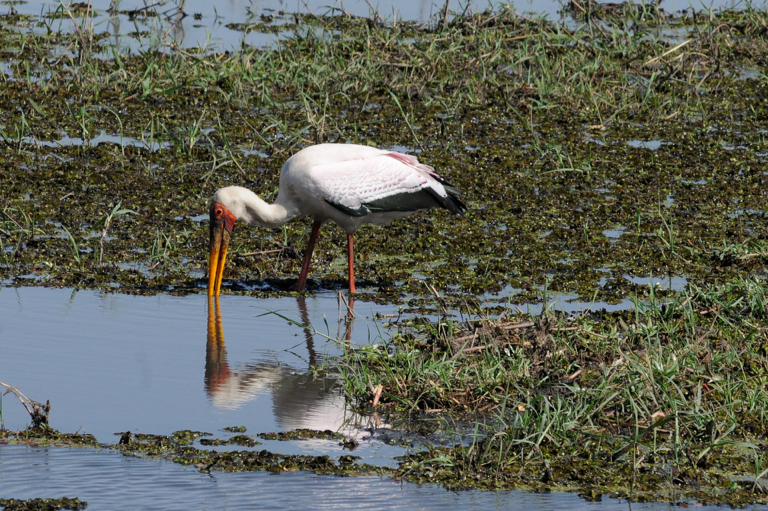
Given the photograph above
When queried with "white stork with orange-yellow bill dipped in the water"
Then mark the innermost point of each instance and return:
(348, 184)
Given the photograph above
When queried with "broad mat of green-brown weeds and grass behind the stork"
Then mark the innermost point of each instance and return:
(640, 119)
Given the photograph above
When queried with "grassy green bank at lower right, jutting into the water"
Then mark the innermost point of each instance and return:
(666, 401)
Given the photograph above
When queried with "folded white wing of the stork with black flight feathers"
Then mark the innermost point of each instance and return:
(384, 182)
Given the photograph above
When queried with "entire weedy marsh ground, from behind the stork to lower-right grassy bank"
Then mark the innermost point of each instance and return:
(628, 145)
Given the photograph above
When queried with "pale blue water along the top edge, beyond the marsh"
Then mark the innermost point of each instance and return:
(203, 23)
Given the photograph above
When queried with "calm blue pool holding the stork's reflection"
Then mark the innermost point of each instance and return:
(112, 362)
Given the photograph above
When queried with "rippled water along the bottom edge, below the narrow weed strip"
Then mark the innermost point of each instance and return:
(111, 481)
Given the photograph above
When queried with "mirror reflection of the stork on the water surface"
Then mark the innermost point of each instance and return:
(300, 399)
